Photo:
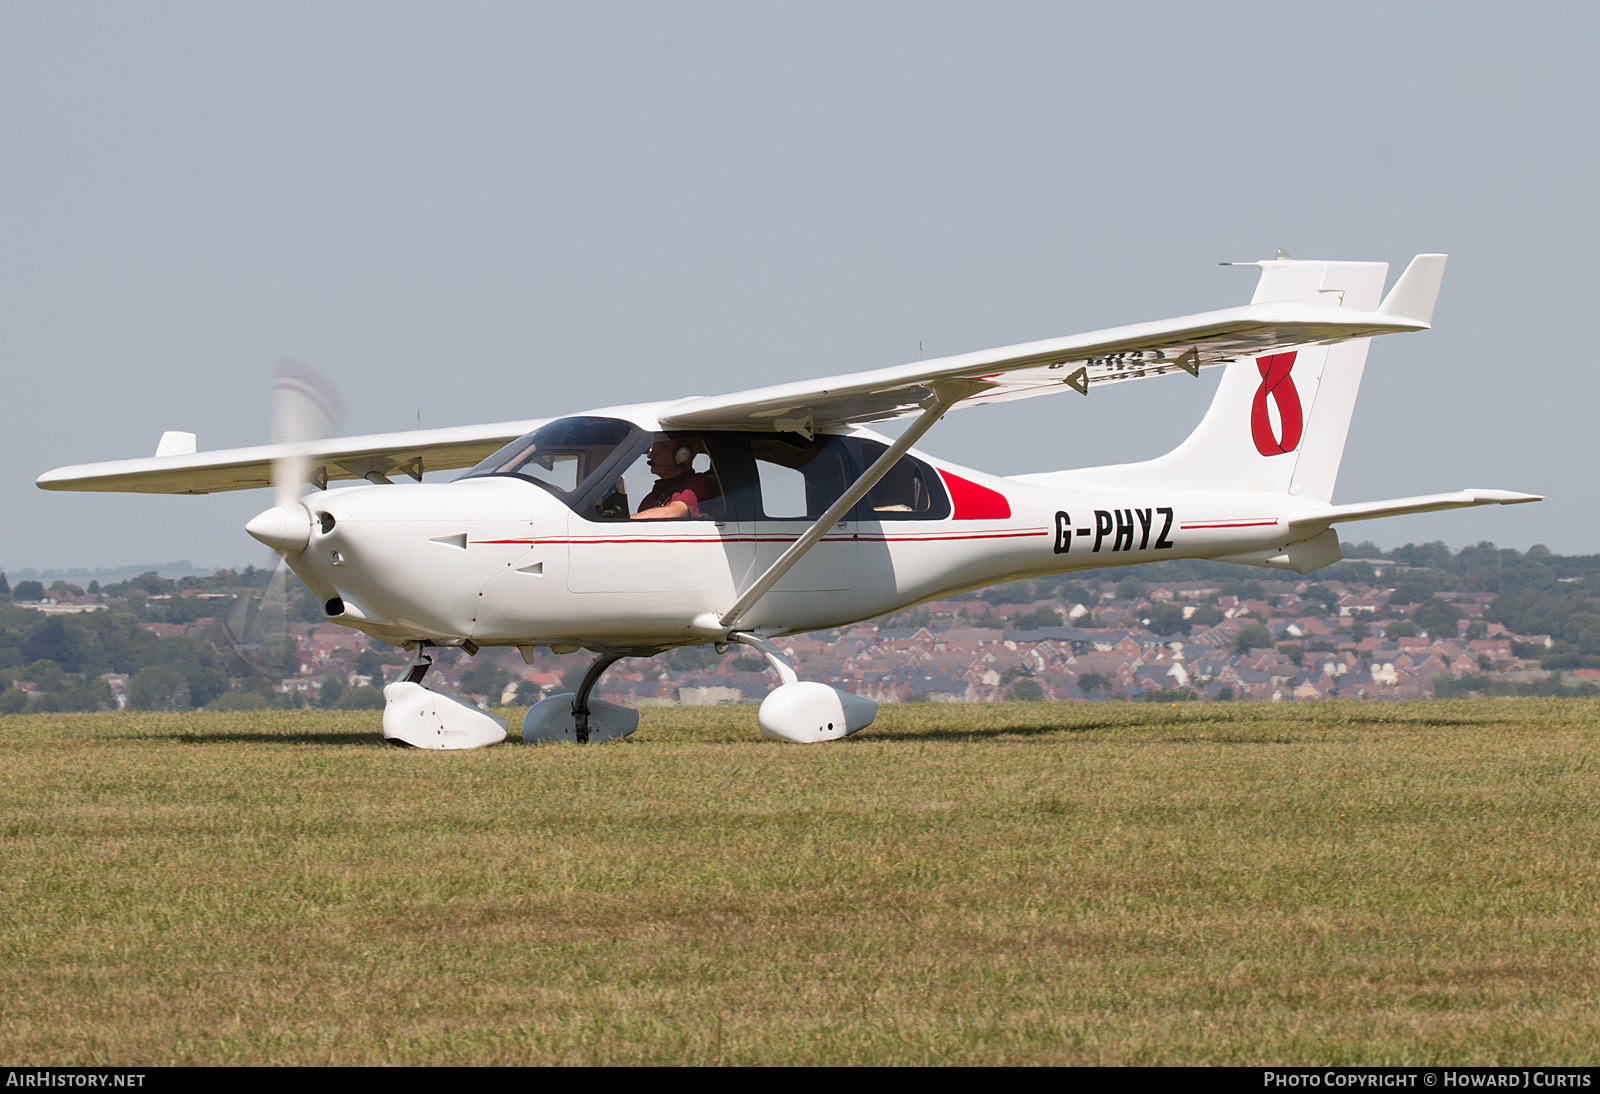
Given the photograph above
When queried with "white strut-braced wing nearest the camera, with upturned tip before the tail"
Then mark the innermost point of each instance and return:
(1078, 362)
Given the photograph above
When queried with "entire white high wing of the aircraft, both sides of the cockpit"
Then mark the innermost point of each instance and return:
(988, 377)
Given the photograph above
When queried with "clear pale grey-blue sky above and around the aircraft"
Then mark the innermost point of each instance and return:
(486, 212)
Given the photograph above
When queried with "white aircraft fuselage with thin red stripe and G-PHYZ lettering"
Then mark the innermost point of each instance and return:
(500, 561)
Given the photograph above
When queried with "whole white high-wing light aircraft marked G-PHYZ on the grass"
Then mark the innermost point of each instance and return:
(737, 519)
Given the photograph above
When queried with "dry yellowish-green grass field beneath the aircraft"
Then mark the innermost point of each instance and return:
(1092, 884)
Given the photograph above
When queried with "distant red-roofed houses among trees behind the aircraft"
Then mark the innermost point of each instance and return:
(1278, 642)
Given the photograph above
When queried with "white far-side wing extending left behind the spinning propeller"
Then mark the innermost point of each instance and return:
(404, 453)
